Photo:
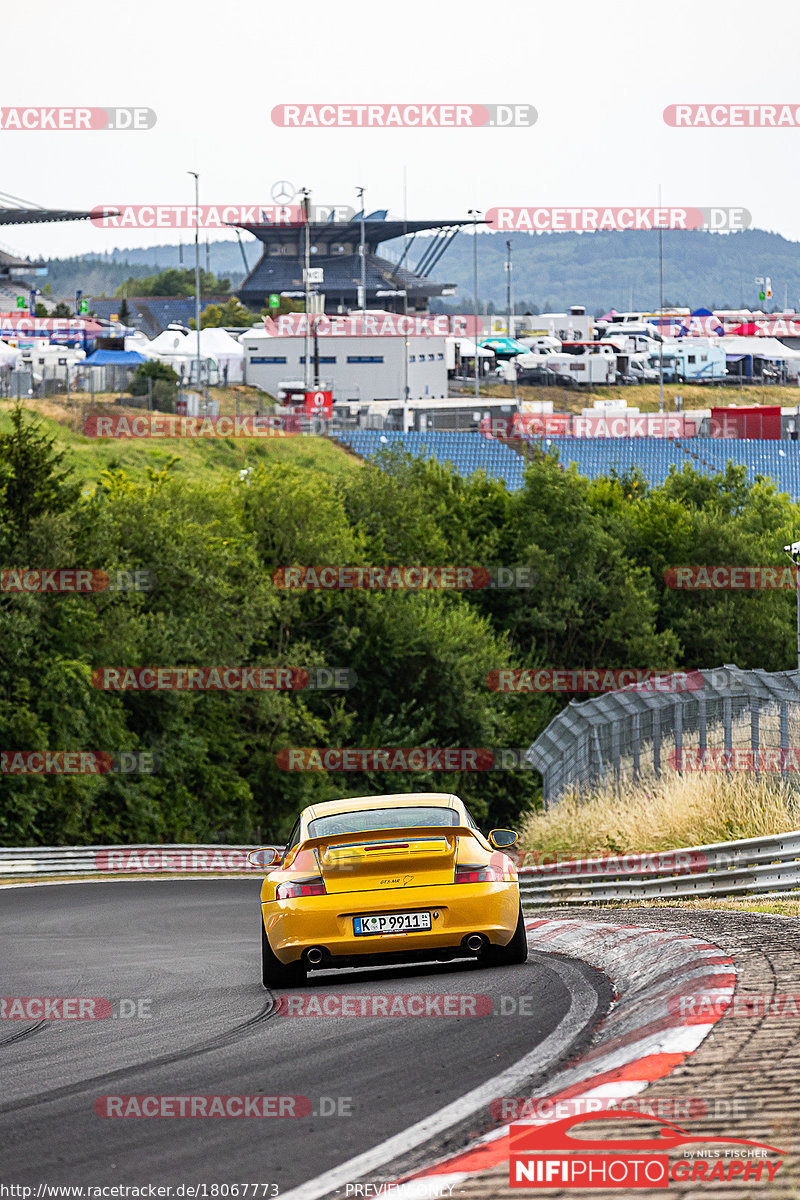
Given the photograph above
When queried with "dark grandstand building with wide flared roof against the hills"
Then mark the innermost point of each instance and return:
(335, 249)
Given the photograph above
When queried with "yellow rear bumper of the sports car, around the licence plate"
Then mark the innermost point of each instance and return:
(327, 922)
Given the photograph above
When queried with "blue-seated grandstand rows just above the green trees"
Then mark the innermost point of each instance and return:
(594, 458)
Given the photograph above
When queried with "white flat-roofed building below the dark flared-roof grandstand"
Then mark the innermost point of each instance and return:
(362, 370)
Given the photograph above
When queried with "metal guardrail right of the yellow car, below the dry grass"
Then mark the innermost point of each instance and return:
(724, 869)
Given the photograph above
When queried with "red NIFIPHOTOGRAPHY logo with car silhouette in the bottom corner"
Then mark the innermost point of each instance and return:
(549, 1156)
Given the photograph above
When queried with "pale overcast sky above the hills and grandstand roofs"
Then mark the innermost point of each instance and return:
(600, 77)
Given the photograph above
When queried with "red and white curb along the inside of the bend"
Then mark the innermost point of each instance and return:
(645, 1037)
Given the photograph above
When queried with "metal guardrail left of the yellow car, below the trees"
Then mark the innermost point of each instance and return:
(121, 861)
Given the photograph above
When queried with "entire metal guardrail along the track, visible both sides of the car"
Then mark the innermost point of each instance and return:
(755, 866)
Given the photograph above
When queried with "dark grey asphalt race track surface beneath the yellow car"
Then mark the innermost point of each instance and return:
(185, 957)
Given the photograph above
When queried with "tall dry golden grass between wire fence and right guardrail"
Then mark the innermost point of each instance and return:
(665, 814)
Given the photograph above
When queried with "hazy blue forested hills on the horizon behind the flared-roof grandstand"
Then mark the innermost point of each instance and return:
(551, 272)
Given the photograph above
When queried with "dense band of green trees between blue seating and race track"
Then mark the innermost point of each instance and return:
(596, 555)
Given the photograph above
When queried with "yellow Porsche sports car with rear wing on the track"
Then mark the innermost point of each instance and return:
(388, 879)
